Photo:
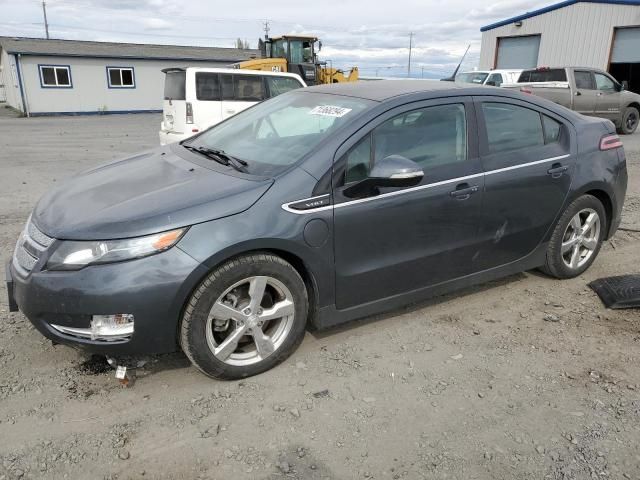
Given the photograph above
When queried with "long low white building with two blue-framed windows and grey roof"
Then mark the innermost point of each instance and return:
(54, 77)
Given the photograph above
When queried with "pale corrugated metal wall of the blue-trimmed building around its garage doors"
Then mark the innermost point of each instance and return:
(579, 34)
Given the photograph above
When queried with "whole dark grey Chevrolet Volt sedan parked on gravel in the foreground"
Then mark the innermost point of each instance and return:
(313, 208)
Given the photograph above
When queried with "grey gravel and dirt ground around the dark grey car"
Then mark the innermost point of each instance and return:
(523, 378)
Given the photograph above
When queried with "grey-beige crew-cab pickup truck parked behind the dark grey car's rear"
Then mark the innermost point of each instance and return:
(586, 90)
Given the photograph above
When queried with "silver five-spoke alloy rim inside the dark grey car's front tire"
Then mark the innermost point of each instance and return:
(250, 320)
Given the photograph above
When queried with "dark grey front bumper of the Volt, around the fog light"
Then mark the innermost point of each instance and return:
(153, 289)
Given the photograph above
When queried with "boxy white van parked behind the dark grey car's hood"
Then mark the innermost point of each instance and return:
(198, 98)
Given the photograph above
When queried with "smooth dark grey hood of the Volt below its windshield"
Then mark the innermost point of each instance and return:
(151, 192)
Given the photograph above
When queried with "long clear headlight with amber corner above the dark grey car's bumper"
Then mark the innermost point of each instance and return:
(74, 255)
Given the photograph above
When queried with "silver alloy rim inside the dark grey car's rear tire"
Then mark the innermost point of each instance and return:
(580, 239)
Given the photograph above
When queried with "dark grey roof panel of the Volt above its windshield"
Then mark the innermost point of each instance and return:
(385, 89)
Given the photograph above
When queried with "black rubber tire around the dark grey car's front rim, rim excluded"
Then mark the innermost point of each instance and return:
(193, 327)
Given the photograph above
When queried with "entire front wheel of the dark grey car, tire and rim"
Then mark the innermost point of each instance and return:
(229, 331)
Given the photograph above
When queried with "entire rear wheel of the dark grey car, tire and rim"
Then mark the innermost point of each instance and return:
(577, 238)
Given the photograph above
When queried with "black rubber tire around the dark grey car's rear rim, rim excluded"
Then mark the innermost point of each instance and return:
(555, 266)
